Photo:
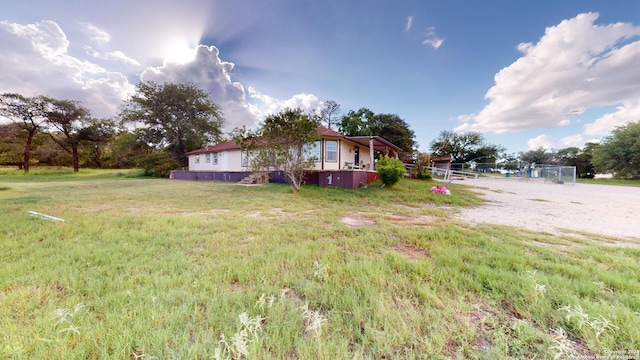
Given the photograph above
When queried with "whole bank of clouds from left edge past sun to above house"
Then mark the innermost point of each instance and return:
(42, 64)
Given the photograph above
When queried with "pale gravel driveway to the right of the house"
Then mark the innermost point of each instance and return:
(600, 209)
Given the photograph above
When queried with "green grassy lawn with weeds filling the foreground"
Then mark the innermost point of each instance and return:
(155, 268)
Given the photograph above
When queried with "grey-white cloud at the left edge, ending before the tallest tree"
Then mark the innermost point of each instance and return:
(40, 64)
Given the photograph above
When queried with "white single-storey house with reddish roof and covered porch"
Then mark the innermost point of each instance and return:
(342, 161)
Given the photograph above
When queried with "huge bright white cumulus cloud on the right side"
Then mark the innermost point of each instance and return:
(575, 66)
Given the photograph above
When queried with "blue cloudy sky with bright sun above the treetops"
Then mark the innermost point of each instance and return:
(524, 74)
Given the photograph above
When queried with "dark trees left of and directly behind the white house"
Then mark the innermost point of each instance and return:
(155, 129)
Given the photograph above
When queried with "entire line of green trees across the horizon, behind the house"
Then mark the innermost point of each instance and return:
(161, 123)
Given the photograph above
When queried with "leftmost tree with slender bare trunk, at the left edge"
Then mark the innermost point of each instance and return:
(28, 113)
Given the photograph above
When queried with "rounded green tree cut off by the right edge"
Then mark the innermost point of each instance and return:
(619, 153)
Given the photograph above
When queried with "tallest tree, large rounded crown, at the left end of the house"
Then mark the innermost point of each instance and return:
(180, 117)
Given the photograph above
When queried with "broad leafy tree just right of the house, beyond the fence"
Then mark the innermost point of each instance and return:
(462, 147)
